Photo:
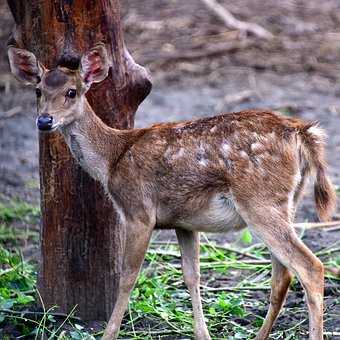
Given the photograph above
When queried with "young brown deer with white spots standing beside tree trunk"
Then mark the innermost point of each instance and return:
(213, 175)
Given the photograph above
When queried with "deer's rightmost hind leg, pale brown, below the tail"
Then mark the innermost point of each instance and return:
(273, 227)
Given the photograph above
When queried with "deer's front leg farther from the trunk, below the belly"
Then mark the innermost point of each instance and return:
(189, 243)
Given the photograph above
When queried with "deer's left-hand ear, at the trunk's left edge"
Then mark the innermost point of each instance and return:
(24, 65)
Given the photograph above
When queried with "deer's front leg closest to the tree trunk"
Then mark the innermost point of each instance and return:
(136, 243)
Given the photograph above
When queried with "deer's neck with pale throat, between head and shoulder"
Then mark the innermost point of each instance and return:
(94, 145)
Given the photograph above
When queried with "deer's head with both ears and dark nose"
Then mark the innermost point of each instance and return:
(60, 92)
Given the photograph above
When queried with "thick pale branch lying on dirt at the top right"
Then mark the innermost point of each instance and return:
(232, 22)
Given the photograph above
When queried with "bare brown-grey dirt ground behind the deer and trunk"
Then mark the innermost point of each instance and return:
(184, 46)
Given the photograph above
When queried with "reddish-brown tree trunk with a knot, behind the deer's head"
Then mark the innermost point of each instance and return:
(81, 244)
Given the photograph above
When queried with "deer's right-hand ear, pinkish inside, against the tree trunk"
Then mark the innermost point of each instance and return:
(95, 65)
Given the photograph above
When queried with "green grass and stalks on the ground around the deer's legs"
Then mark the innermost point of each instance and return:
(160, 305)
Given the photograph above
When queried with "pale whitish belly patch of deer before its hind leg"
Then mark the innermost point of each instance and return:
(220, 215)
